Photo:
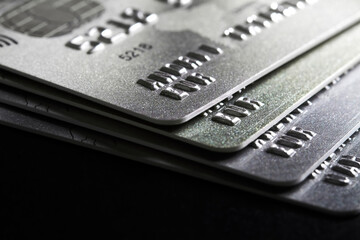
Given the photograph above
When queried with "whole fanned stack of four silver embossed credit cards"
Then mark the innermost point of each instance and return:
(257, 95)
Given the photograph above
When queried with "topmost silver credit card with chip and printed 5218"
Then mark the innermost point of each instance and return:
(158, 62)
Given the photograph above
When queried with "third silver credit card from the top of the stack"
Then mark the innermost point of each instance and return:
(284, 155)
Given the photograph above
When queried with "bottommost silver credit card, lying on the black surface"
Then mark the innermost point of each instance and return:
(327, 189)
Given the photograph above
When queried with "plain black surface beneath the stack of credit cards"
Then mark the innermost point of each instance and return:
(54, 190)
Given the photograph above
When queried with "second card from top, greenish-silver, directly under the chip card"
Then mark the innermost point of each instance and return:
(233, 124)
